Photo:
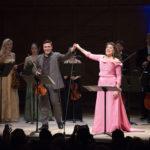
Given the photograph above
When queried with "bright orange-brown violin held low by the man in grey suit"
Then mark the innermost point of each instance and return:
(40, 89)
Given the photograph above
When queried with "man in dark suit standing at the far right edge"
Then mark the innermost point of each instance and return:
(143, 62)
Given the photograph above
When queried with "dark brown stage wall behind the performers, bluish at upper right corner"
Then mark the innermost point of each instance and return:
(90, 23)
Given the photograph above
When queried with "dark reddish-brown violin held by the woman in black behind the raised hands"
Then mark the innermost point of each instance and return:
(74, 91)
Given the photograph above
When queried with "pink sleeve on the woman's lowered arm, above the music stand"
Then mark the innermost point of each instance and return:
(118, 67)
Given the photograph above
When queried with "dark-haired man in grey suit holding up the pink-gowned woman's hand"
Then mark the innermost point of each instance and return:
(48, 62)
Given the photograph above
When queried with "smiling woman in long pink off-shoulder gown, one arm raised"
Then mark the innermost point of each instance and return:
(110, 75)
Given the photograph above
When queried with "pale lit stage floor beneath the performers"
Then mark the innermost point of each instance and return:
(87, 119)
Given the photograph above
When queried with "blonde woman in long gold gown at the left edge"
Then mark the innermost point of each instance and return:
(9, 96)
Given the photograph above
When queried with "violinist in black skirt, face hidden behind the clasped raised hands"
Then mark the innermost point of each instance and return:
(74, 110)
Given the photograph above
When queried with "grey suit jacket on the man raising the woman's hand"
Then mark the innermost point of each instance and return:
(54, 72)
